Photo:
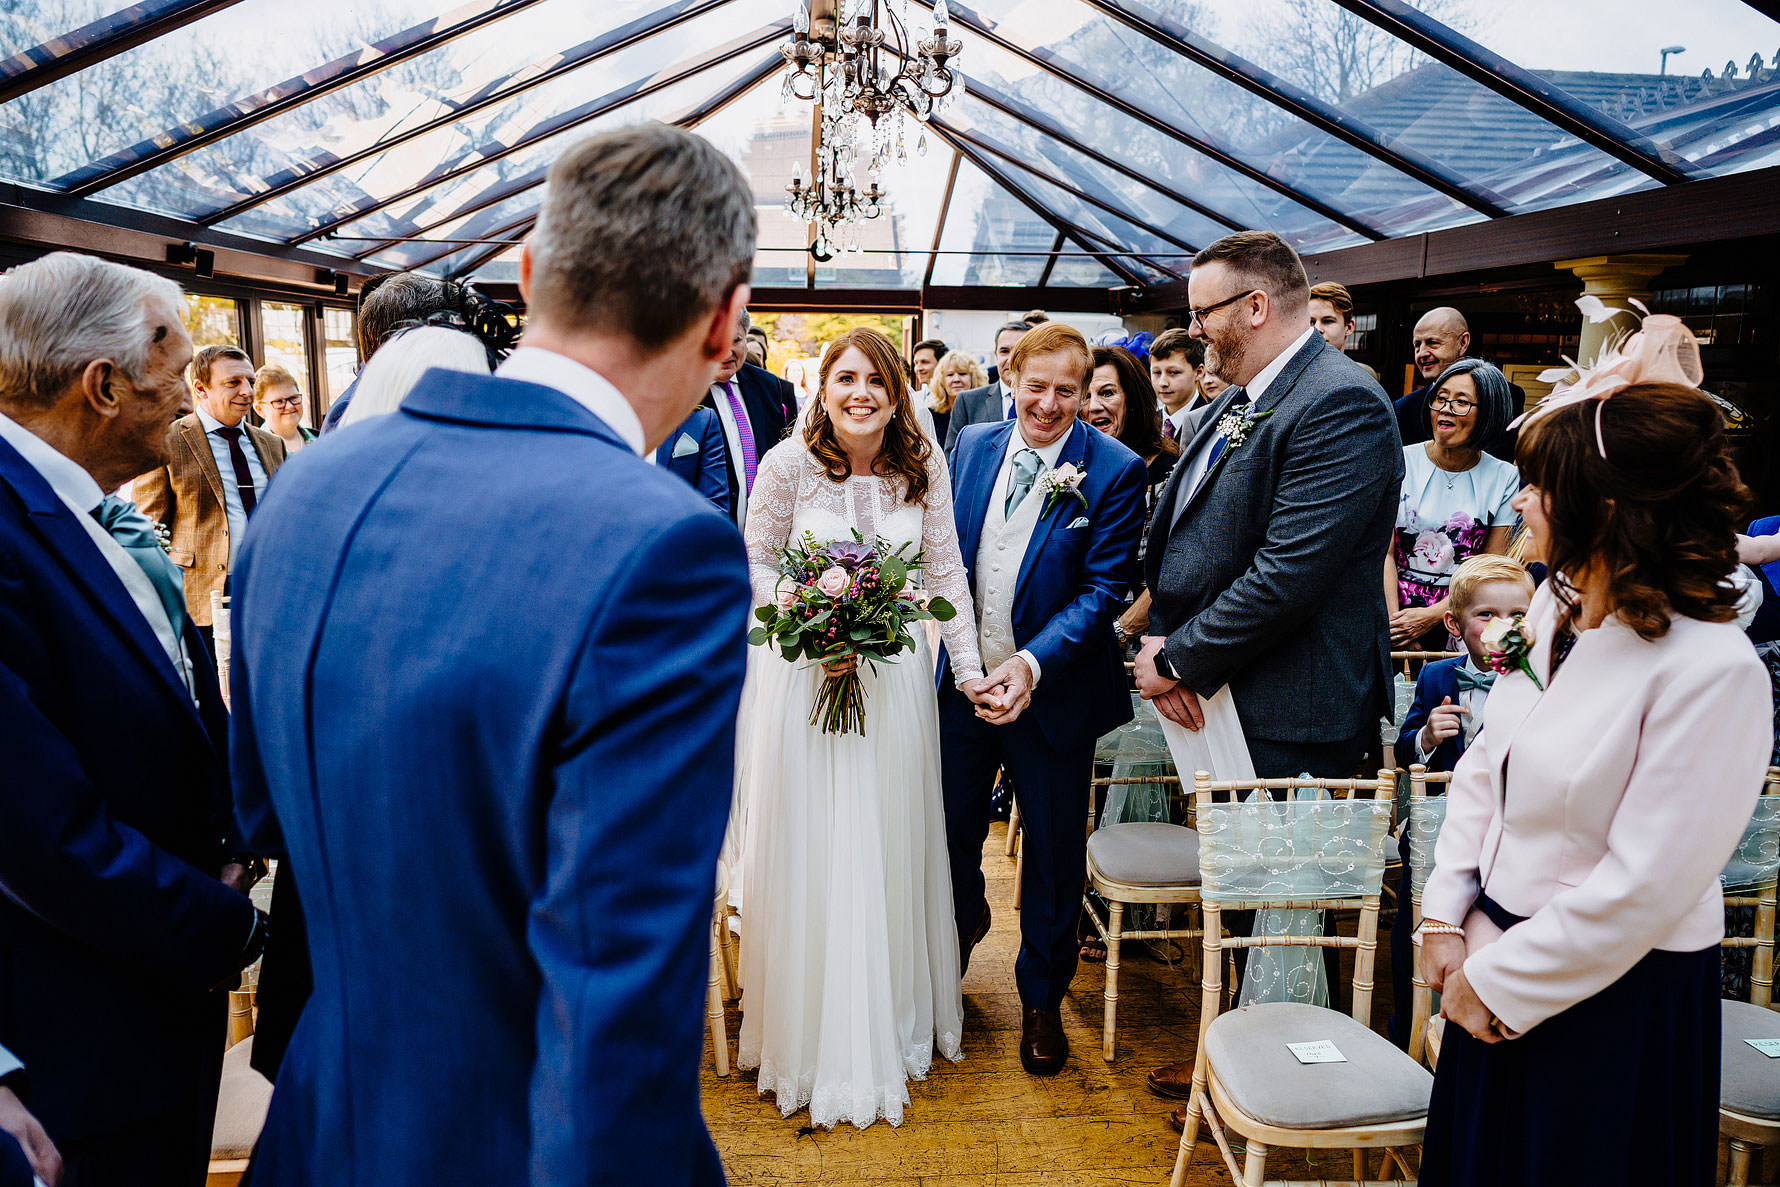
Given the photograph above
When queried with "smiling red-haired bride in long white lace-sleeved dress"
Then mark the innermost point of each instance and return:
(850, 951)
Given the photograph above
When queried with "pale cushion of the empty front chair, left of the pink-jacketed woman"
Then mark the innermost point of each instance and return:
(1379, 1085)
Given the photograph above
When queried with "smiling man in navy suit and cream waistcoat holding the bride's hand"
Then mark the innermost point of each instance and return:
(1049, 512)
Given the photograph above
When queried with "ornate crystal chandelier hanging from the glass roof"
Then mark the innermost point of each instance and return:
(868, 74)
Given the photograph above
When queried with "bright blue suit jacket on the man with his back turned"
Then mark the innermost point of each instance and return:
(489, 670)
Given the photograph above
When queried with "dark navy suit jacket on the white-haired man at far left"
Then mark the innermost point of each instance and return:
(115, 825)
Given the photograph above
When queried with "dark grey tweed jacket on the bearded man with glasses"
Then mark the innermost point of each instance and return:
(1266, 577)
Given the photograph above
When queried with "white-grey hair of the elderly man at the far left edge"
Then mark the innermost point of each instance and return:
(63, 312)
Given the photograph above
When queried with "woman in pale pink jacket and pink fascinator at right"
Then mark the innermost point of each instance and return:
(1574, 912)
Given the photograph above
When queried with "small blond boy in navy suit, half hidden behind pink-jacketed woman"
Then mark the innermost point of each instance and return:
(1448, 711)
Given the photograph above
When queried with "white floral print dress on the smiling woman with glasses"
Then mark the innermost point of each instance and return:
(1444, 519)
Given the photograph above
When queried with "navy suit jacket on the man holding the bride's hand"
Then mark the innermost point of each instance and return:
(1072, 579)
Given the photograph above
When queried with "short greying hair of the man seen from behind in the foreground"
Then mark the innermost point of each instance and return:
(643, 232)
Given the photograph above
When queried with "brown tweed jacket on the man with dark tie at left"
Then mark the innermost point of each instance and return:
(186, 496)
